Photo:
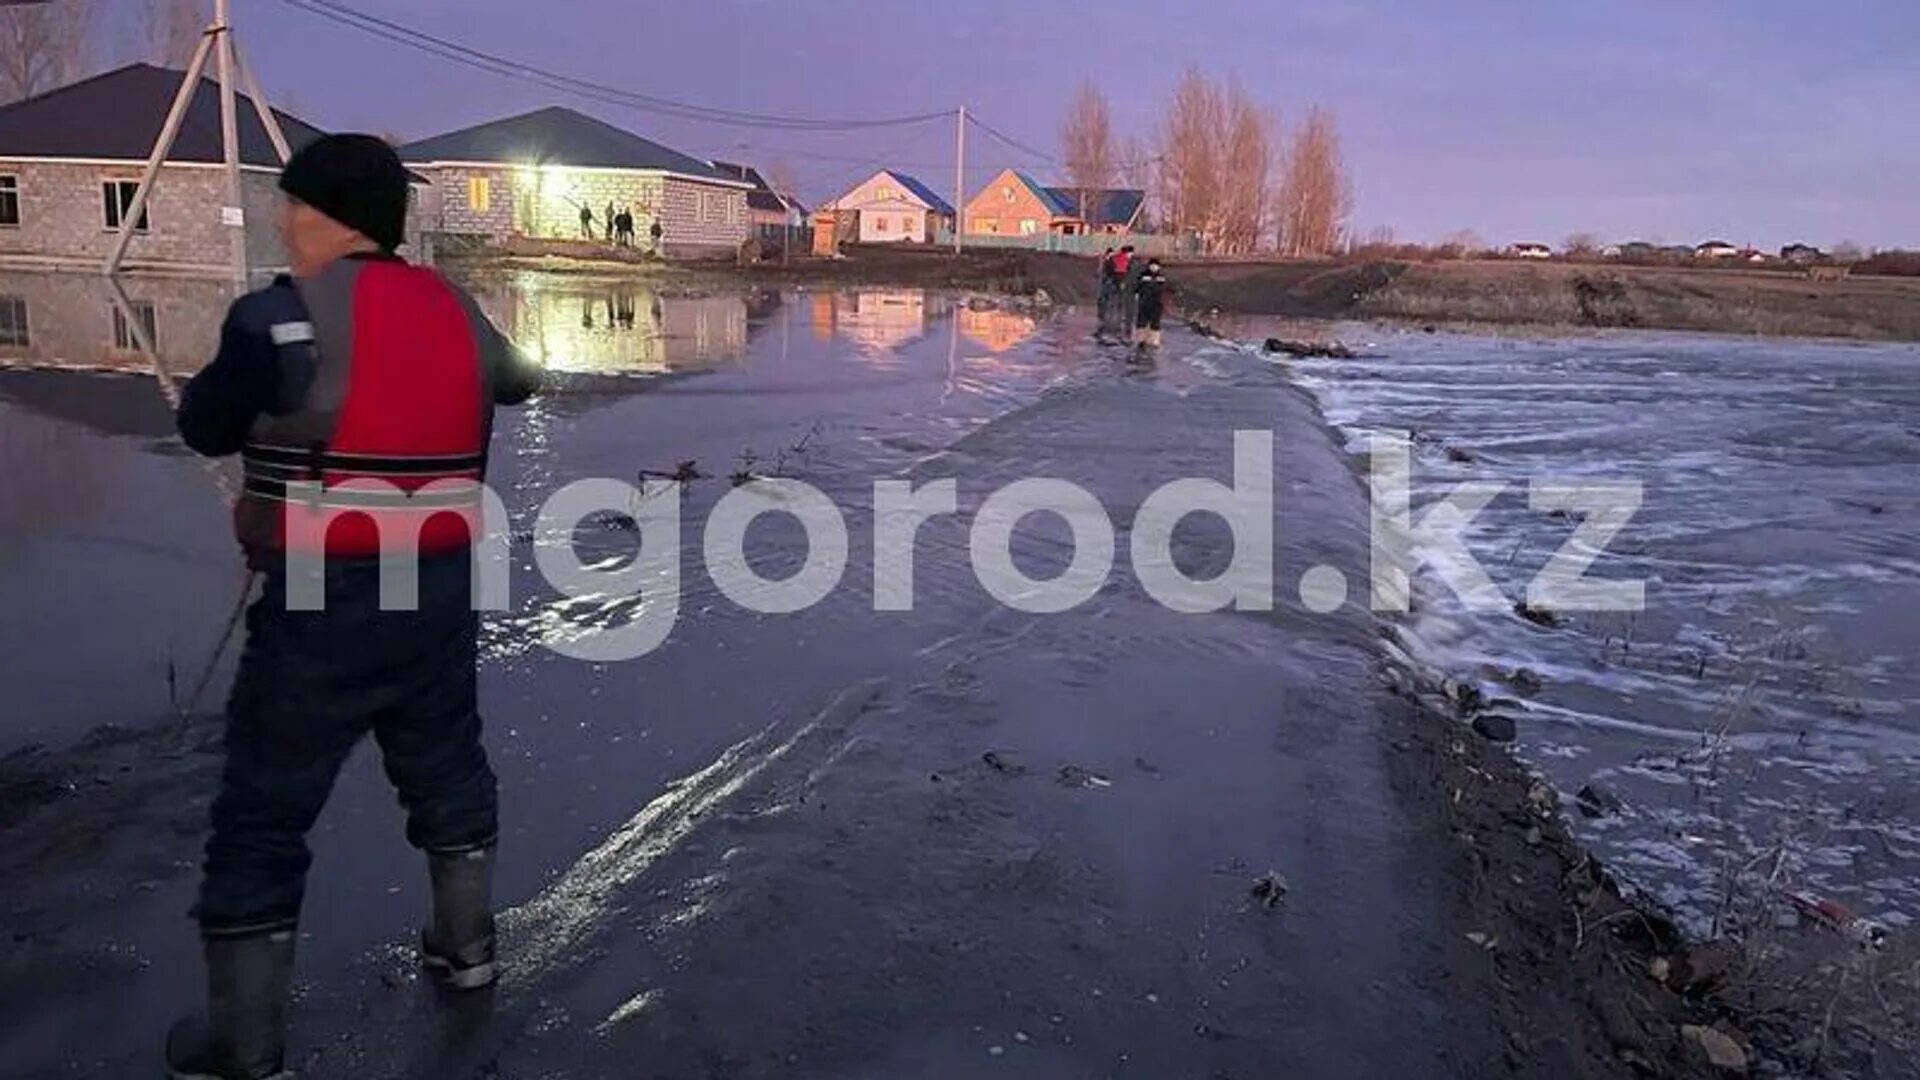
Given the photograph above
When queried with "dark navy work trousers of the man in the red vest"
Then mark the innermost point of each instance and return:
(314, 683)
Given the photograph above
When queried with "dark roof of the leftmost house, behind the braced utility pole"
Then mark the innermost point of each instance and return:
(118, 116)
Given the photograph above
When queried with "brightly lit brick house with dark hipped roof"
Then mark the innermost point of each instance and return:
(554, 174)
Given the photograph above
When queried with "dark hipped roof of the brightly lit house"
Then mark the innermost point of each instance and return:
(558, 135)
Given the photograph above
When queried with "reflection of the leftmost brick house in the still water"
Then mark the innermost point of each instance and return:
(72, 322)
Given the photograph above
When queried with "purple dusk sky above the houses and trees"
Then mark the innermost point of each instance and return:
(1646, 122)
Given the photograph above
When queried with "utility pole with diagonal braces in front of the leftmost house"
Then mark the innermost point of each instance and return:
(216, 41)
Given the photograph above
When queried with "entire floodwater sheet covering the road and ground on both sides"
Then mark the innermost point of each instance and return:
(853, 843)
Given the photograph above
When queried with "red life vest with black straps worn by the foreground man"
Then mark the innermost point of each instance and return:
(387, 453)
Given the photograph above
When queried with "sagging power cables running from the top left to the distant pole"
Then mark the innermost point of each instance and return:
(585, 87)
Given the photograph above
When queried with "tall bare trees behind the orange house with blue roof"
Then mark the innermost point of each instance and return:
(1220, 168)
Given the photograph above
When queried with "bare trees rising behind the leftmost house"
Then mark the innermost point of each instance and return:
(57, 43)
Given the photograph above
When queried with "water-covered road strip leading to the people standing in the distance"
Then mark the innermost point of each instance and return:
(1015, 845)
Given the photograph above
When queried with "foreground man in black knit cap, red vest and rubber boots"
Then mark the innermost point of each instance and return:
(347, 389)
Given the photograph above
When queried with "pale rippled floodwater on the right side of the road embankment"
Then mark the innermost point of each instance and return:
(1762, 718)
